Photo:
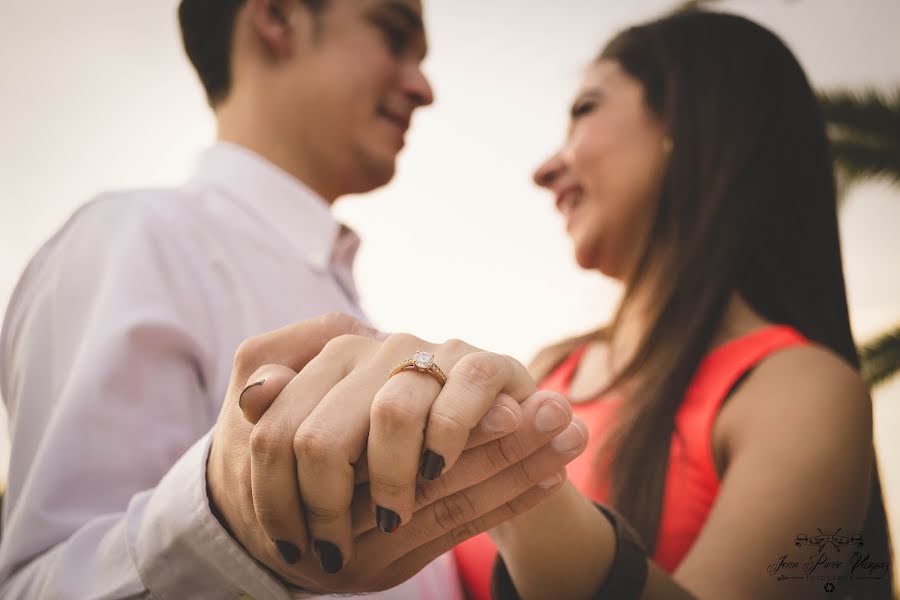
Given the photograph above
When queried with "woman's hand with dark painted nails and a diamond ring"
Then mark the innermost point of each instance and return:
(343, 404)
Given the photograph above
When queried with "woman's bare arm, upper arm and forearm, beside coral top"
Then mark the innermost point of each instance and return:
(799, 441)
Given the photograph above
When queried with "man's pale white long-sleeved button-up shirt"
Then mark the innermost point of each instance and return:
(115, 357)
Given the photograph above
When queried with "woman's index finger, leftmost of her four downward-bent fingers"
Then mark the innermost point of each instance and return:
(277, 501)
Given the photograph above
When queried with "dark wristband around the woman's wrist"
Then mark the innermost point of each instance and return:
(627, 574)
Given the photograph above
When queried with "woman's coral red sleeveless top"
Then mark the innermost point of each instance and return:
(691, 481)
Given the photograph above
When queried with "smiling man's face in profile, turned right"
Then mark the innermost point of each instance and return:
(345, 98)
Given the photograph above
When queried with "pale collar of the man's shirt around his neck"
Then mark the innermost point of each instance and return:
(283, 203)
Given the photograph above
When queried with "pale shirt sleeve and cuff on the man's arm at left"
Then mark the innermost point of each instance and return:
(104, 362)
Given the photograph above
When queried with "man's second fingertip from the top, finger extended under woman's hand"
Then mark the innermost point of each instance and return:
(491, 459)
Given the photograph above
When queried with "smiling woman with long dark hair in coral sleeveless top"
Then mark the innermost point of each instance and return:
(728, 421)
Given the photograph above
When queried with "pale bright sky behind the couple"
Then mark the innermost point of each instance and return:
(96, 95)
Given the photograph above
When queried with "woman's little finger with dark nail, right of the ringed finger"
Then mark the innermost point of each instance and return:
(471, 389)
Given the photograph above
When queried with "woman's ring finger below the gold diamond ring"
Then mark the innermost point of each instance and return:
(399, 411)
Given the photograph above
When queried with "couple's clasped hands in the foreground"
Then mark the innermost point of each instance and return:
(316, 466)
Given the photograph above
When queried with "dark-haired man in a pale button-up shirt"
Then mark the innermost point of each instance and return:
(118, 349)
